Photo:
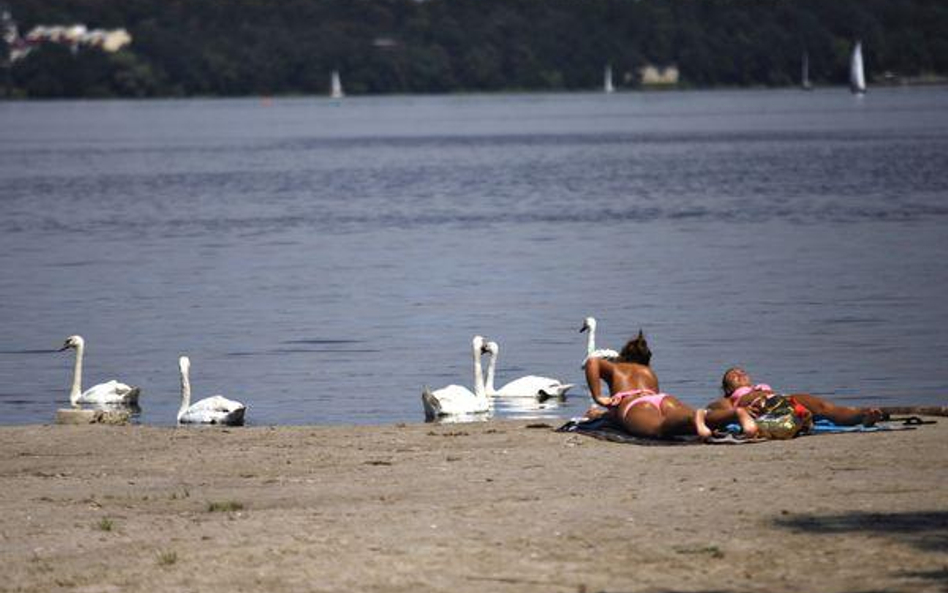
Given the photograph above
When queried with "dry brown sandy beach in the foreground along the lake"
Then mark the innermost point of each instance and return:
(479, 507)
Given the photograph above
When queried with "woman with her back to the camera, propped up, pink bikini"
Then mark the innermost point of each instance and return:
(635, 403)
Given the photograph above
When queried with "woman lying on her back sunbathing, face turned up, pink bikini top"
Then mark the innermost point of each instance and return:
(741, 393)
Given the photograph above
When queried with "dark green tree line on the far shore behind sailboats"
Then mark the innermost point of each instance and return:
(278, 47)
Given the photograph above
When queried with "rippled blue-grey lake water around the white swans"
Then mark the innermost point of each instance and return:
(322, 261)
